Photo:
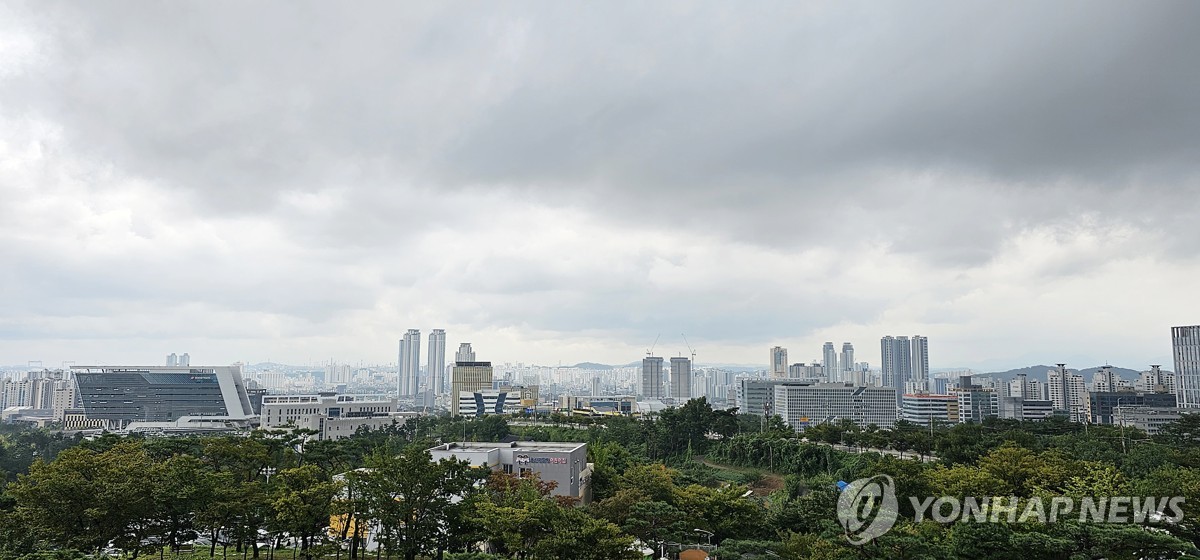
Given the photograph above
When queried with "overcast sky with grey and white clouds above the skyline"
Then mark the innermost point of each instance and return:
(563, 182)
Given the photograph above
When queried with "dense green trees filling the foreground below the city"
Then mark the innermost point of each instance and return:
(754, 489)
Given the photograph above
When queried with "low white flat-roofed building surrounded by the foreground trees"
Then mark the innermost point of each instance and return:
(566, 465)
